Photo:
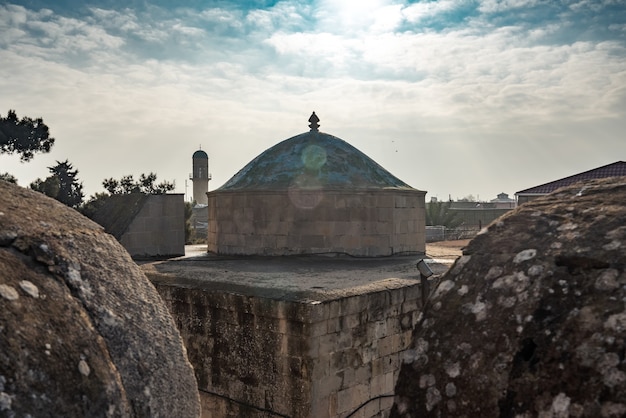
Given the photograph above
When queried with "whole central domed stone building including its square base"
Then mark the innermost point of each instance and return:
(301, 335)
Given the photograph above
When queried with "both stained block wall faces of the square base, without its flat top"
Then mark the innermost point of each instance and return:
(255, 355)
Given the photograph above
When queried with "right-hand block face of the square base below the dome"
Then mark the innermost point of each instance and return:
(355, 351)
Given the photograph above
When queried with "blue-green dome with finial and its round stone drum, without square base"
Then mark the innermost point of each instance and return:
(315, 194)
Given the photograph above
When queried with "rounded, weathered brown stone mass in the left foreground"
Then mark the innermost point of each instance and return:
(82, 330)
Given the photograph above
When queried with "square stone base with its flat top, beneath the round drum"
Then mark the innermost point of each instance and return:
(305, 336)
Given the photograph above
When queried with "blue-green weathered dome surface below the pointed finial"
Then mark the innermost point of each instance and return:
(313, 160)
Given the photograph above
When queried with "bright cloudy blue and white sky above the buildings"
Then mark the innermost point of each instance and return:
(455, 97)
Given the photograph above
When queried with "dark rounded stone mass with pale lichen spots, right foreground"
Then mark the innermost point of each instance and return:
(531, 321)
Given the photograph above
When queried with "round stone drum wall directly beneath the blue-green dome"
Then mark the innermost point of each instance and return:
(359, 223)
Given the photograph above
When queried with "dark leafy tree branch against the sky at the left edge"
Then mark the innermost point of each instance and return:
(24, 137)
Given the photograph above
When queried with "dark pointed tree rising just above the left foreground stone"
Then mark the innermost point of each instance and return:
(62, 185)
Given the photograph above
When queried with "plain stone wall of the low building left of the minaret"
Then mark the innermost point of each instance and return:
(158, 229)
